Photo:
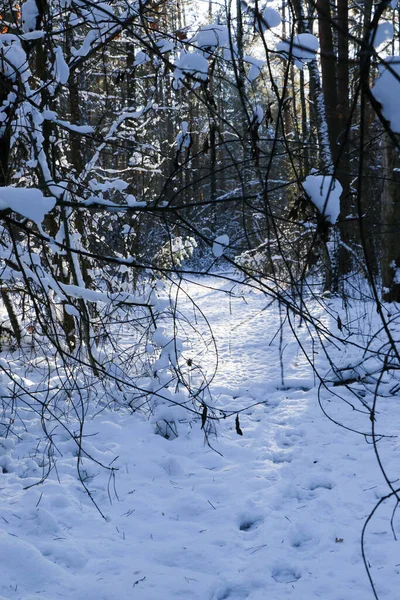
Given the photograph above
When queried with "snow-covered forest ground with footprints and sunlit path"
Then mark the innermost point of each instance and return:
(276, 513)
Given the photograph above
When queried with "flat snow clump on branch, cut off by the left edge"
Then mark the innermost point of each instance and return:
(28, 202)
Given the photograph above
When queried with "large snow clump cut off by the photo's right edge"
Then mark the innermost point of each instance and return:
(386, 91)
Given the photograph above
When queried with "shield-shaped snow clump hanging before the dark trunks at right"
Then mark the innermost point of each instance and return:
(324, 192)
